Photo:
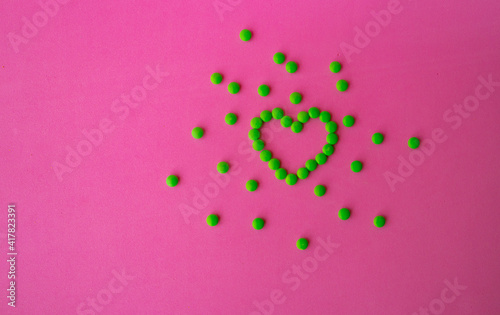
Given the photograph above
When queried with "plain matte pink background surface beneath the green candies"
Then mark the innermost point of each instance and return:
(113, 211)
